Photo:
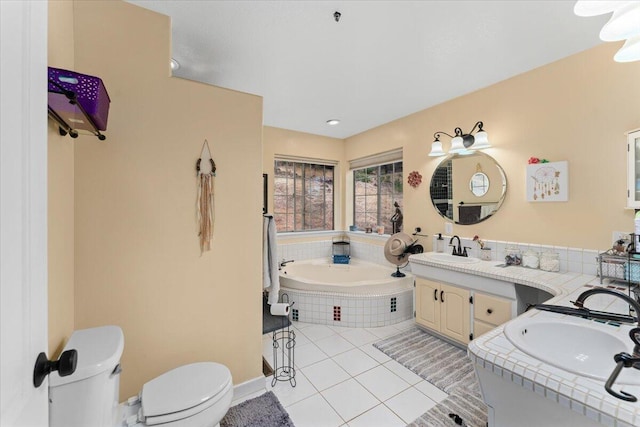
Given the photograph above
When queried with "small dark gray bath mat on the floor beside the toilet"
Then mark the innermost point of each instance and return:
(262, 411)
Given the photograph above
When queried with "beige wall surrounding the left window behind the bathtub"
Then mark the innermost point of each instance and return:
(282, 142)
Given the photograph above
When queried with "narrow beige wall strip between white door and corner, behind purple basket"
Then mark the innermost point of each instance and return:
(60, 191)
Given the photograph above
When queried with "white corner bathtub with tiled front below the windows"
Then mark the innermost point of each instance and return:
(358, 294)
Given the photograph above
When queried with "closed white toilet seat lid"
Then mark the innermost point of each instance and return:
(183, 388)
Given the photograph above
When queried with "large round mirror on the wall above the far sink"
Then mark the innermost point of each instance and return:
(468, 189)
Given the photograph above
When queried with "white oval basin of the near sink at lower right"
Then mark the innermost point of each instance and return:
(573, 345)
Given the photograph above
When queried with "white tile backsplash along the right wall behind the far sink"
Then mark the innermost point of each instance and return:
(573, 260)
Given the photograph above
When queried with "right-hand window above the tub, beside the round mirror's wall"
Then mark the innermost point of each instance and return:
(376, 188)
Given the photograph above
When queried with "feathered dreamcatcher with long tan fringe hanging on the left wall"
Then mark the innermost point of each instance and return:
(205, 172)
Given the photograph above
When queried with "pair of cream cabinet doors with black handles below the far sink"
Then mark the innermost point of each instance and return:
(444, 309)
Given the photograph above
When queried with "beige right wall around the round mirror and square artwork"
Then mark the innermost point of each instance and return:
(576, 109)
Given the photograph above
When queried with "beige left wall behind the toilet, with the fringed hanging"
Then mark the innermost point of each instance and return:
(137, 258)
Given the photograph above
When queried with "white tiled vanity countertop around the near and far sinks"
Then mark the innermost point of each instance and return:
(544, 389)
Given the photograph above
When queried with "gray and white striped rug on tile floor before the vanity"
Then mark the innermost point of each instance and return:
(445, 366)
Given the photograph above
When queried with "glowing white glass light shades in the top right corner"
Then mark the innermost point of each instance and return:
(623, 25)
